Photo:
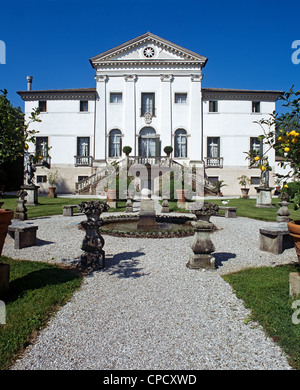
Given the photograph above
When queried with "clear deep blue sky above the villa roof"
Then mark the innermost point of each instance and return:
(248, 43)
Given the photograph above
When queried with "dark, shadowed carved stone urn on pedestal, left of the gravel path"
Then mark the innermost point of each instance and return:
(93, 257)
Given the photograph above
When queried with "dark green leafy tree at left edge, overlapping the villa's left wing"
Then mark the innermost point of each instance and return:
(14, 132)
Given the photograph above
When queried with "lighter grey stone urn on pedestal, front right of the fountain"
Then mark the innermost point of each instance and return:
(202, 245)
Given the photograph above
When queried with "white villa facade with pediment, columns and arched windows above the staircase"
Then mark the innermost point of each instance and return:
(149, 95)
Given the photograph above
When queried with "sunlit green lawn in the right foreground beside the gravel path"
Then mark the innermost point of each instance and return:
(265, 291)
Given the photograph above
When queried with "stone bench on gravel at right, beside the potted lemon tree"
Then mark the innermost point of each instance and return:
(275, 239)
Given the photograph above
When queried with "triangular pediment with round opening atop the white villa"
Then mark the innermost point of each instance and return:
(148, 47)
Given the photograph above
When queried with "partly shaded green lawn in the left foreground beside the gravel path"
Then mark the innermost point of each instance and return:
(37, 290)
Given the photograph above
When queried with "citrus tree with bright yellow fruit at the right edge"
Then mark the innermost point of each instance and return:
(282, 133)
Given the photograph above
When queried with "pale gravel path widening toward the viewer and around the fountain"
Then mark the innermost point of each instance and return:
(146, 310)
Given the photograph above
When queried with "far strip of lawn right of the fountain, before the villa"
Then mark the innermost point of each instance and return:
(246, 208)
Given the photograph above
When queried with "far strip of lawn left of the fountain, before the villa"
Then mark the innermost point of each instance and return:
(50, 206)
